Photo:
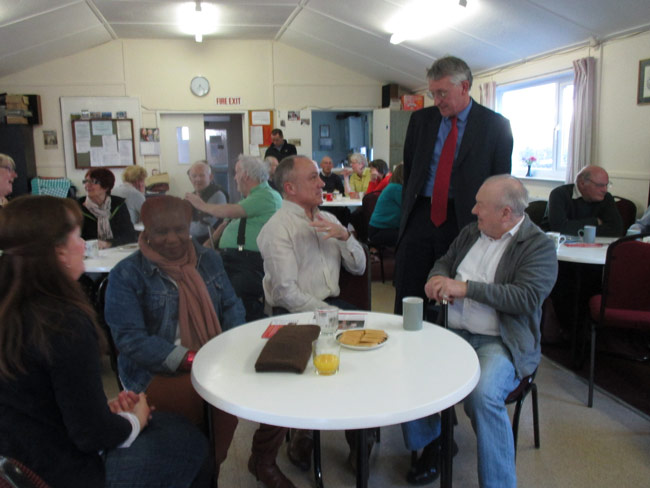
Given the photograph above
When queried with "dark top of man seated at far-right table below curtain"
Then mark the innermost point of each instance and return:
(568, 215)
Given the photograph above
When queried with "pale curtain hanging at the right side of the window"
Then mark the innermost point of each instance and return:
(583, 107)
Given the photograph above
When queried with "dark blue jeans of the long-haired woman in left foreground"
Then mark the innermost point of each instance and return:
(169, 453)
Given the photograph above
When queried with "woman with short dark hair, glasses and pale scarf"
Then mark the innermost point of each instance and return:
(106, 217)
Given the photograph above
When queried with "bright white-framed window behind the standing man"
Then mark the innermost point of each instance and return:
(540, 113)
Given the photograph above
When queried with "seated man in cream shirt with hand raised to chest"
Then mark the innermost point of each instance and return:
(303, 247)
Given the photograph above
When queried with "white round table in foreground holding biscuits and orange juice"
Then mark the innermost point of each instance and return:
(415, 374)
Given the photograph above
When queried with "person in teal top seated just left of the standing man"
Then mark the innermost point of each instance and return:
(384, 222)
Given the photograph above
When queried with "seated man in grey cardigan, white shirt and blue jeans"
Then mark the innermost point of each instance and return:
(495, 275)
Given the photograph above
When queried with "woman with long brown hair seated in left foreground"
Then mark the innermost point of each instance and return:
(54, 416)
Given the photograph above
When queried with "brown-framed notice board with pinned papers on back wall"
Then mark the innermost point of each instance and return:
(107, 143)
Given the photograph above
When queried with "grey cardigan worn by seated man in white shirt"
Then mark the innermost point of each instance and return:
(524, 278)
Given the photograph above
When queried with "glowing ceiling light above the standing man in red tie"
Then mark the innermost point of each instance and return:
(423, 18)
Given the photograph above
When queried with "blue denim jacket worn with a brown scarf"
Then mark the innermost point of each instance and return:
(142, 312)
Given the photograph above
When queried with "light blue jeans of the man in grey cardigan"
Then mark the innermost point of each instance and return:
(485, 407)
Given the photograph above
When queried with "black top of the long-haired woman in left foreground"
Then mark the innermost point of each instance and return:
(55, 418)
